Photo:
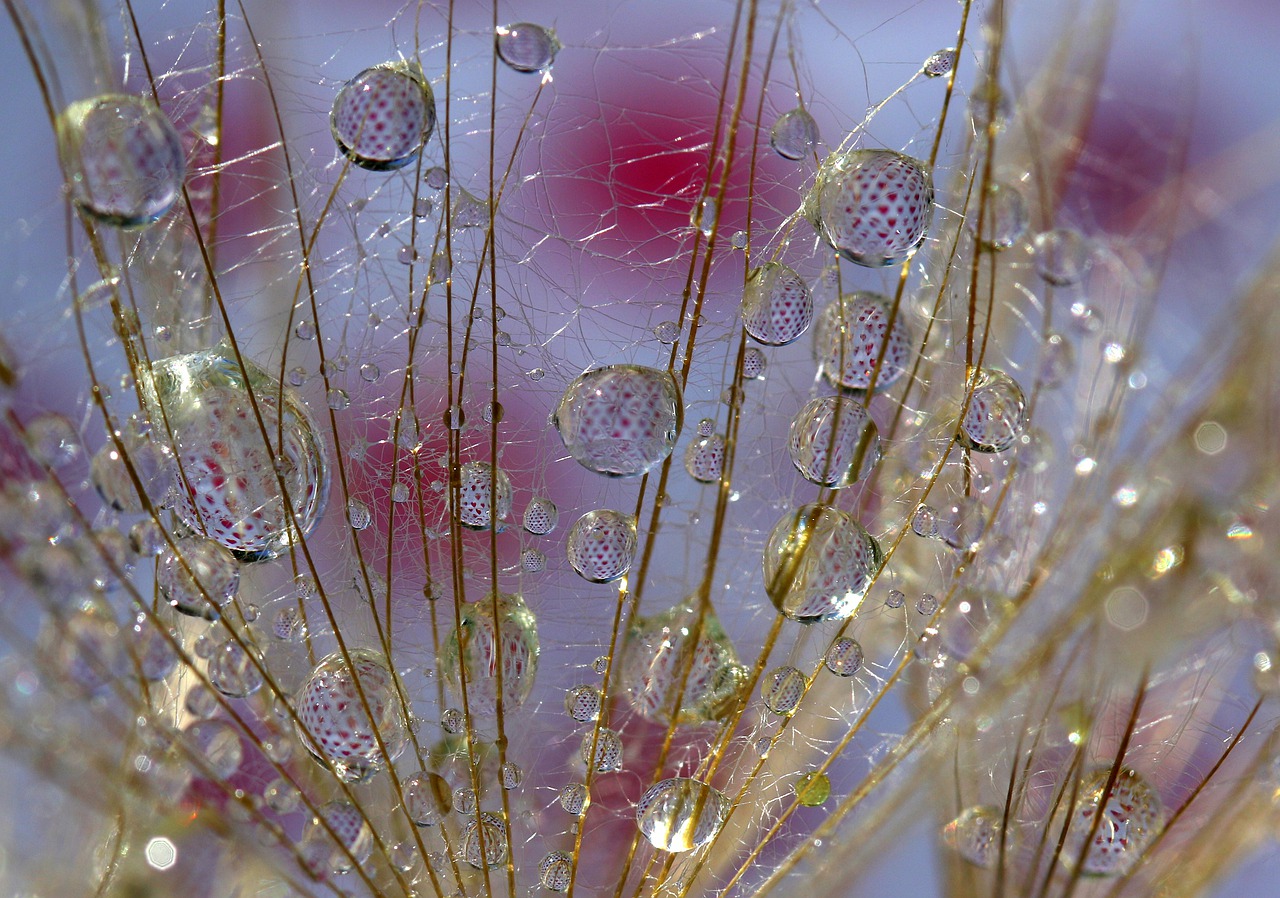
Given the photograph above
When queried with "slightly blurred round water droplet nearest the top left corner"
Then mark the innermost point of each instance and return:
(124, 159)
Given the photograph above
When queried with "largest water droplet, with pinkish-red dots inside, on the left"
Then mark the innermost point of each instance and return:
(218, 414)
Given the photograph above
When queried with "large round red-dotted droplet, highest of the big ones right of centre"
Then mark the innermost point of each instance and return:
(872, 207)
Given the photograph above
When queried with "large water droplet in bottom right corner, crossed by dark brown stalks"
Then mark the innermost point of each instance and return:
(1132, 818)
